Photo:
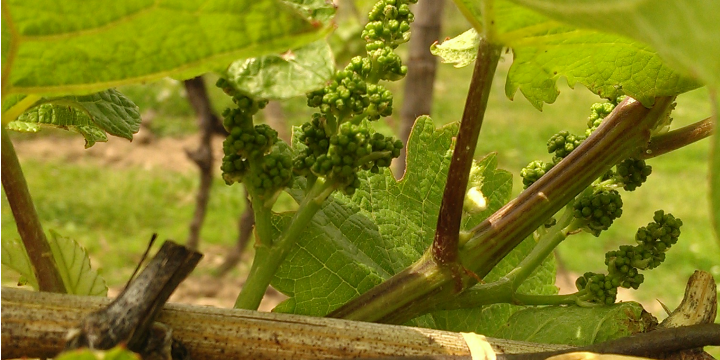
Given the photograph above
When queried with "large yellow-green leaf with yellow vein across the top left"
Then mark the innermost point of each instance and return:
(81, 46)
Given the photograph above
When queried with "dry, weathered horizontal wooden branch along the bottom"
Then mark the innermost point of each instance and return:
(35, 324)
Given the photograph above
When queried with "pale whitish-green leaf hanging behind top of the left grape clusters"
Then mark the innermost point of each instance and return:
(283, 76)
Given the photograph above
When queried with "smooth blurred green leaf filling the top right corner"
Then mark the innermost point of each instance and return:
(685, 33)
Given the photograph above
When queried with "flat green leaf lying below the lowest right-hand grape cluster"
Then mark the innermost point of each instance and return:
(576, 326)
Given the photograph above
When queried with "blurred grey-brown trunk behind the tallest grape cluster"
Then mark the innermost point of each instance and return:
(422, 67)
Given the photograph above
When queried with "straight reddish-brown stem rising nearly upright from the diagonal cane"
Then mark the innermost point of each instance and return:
(445, 244)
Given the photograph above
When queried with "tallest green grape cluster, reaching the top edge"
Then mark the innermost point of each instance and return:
(339, 141)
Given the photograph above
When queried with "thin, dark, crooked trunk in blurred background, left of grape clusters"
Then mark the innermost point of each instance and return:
(202, 156)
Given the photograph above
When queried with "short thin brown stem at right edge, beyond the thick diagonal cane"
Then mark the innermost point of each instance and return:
(676, 139)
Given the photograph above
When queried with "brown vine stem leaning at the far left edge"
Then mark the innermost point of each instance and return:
(26, 218)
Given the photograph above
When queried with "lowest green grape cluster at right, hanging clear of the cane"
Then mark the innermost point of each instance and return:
(624, 264)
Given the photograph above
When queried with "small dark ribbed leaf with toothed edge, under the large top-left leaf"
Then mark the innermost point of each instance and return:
(90, 115)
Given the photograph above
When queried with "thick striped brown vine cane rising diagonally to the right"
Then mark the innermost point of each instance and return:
(417, 289)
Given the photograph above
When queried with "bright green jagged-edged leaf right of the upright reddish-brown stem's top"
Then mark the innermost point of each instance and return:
(607, 64)
